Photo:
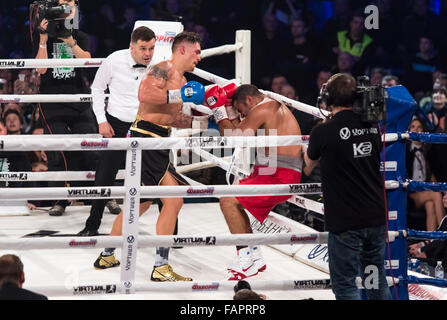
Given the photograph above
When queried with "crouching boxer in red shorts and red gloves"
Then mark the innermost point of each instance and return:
(280, 165)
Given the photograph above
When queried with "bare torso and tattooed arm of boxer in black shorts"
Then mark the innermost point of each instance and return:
(153, 94)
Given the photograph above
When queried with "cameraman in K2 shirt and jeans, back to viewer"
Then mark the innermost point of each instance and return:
(349, 154)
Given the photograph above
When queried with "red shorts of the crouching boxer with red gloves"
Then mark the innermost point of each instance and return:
(260, 207)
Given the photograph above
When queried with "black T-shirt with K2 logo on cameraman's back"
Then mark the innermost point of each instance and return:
(349, 153)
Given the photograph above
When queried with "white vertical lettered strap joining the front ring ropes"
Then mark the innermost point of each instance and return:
(131, 214)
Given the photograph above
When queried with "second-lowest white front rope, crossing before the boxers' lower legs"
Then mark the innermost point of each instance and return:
(161, 240)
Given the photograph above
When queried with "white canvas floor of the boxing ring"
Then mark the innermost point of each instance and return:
(75, 266)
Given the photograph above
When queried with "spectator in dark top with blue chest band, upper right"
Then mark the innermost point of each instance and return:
(421, 68)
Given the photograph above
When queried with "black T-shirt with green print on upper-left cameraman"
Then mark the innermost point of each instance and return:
(63, 80)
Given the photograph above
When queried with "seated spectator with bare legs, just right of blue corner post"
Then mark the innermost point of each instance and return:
(418, 169)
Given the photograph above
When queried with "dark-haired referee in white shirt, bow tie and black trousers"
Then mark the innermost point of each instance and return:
(121, 73)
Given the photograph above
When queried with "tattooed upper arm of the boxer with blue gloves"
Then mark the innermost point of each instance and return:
(153, 86)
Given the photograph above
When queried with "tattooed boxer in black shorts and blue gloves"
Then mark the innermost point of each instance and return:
(161, 94)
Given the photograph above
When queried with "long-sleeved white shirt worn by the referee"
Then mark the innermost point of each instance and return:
(117, 73)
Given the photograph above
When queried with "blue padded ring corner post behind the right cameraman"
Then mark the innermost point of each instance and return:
(400, 108)
